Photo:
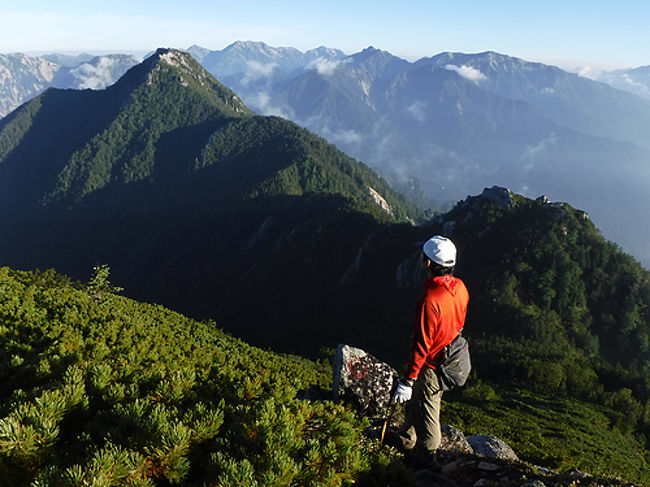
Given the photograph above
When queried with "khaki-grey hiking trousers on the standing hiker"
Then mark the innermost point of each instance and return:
(422, 425)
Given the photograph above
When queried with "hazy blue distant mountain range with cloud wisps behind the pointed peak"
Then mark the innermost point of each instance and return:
(447, 126)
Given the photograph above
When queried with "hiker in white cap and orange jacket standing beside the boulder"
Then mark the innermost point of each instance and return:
(440, 317)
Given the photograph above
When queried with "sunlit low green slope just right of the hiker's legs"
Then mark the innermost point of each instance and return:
(559, 433)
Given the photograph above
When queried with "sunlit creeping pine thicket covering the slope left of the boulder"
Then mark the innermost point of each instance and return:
(104, 392)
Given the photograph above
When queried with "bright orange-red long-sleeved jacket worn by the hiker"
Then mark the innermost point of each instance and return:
(440, 317)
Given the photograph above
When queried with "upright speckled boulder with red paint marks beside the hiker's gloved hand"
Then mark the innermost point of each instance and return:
(363, 380)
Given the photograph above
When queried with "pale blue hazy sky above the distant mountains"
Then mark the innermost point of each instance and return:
(600, 34)
